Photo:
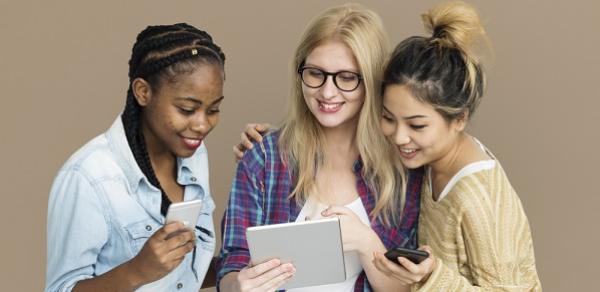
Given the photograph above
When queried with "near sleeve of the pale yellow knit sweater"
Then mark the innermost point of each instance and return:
(498, 246)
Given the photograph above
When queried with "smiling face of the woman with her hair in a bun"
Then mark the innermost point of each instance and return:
(422, 135)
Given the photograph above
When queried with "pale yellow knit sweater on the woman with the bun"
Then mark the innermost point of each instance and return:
(480, 236)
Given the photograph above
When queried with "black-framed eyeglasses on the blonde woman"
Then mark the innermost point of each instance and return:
(343, 80)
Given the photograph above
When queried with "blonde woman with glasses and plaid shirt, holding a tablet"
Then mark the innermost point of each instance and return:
(329, 158)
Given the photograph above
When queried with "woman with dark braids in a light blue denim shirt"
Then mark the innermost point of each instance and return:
(108, 203)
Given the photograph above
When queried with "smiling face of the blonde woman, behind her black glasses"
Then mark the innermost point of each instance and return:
(331, 106)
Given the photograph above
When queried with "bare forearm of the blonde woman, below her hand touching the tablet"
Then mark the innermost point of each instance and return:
(378, 280)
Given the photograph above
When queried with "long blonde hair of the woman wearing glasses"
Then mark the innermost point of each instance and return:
(301, 139)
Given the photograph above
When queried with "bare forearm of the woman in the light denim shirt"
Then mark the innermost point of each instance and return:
(123, 278)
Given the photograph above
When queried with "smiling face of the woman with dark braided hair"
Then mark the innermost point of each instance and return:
(180, 114)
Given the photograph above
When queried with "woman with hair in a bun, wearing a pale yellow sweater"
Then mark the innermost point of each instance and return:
(471, 217)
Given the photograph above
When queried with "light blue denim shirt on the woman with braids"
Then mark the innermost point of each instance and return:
(102, 209)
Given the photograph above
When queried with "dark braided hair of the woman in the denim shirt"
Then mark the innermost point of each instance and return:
(160, 54)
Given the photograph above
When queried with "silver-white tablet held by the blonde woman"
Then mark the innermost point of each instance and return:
(314, 247)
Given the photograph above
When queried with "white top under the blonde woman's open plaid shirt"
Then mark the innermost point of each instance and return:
(312, 209)
